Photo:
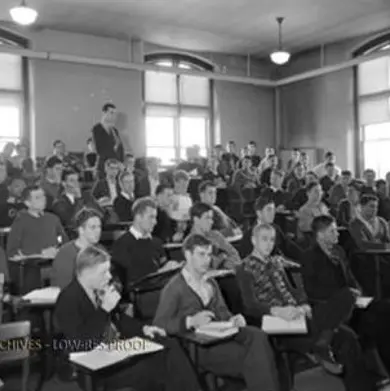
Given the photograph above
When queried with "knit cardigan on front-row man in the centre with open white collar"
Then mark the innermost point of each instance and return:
(178, 301)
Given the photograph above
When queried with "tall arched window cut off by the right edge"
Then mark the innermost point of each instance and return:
(373, 88)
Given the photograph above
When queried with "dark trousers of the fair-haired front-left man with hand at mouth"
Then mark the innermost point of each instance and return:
(168, 370)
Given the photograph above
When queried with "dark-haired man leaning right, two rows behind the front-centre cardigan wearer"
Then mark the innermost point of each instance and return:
(222, 223)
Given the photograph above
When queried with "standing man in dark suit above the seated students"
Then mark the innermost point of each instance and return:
(106, 137)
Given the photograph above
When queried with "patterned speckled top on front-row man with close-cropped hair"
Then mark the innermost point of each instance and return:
(270, 281)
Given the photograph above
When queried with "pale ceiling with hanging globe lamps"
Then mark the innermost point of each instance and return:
(229, 26)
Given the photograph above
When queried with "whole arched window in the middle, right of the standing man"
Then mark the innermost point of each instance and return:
(178, 108)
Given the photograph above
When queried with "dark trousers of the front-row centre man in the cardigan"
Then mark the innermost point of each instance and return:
(248, 356)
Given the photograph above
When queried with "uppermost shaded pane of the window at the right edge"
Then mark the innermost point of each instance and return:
(374, 76)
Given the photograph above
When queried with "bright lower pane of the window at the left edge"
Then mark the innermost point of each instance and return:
(10, 111)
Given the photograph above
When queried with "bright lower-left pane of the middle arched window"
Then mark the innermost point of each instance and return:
(160, 132)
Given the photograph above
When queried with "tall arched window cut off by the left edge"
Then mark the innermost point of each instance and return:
(13, 94)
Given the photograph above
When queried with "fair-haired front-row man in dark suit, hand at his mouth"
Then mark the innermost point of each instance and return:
(87, 314)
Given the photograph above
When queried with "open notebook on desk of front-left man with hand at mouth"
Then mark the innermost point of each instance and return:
(106, 355)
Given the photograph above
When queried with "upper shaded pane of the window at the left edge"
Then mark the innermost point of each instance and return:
(10, 72)
